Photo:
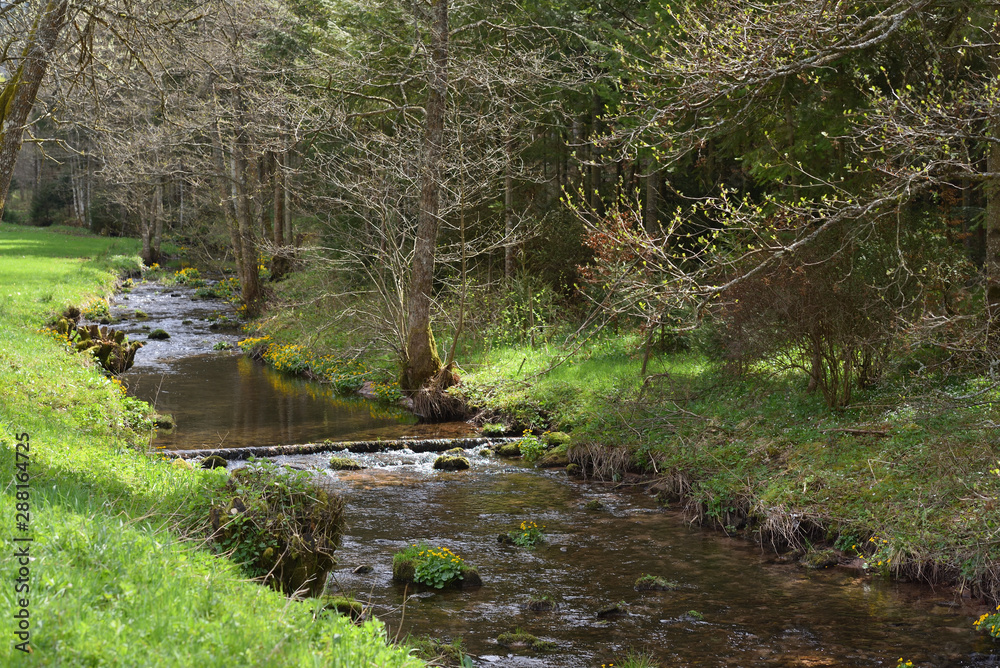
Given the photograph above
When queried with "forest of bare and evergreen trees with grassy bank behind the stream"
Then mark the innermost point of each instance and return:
(746, 252)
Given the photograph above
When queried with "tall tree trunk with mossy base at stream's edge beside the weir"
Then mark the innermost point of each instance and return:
(422, 361)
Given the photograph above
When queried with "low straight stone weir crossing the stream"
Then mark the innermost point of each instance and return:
(416, 445)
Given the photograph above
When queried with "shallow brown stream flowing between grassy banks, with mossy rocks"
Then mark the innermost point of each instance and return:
(733, 604)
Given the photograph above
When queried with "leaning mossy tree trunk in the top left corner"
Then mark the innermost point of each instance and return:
(18, 94)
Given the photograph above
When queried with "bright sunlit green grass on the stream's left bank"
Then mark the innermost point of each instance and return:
(112, 581)
